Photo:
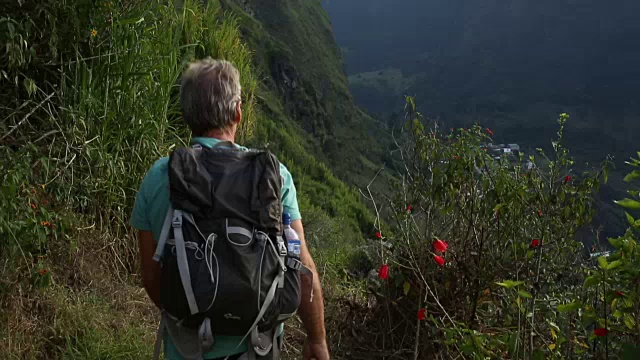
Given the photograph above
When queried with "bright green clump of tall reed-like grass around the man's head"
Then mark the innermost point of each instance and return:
(124, 97)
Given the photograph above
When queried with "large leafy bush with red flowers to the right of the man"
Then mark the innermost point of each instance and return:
(485, 247)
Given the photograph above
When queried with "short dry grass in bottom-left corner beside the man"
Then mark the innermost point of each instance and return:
(60, 323)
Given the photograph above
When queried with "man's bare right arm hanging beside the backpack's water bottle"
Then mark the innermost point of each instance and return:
(311, 312)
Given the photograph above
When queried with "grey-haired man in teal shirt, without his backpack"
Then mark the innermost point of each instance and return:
(210, 97)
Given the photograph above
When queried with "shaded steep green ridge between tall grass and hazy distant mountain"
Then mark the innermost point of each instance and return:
(296, 52)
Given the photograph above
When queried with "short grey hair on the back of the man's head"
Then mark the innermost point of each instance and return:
(209, 93)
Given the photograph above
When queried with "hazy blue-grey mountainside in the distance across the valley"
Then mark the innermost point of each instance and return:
(511, 65)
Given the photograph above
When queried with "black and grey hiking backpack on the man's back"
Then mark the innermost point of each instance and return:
(225, 265)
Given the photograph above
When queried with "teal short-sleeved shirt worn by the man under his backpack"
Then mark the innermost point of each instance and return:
(150, 209)
